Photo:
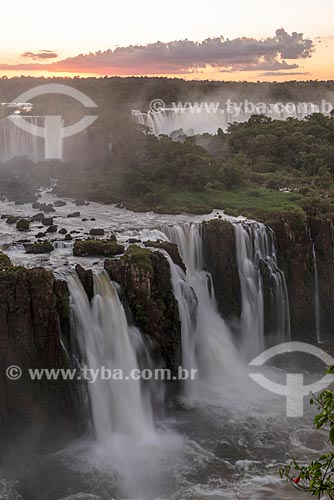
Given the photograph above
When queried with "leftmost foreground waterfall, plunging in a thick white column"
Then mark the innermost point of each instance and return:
(107, 340)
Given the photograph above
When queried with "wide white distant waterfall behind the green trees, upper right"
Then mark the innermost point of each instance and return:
(208, 119)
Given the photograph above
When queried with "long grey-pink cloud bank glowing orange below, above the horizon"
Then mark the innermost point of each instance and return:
(185, 56)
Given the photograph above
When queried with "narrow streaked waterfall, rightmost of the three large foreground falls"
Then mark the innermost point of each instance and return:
(255, 246)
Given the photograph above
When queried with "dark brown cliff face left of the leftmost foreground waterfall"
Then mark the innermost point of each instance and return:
(34, 318)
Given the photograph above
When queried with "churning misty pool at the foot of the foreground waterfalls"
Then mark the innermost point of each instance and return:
(198, 451)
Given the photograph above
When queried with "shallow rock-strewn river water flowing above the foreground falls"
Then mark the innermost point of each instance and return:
(123, 223)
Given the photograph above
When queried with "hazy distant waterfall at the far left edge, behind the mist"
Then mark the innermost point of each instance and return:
(16, 142)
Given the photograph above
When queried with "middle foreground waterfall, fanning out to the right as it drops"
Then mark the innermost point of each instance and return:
(206, 339)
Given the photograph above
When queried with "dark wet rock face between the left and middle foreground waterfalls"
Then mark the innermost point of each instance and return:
(146, 283)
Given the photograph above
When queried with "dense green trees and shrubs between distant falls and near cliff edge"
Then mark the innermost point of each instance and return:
(255, 168)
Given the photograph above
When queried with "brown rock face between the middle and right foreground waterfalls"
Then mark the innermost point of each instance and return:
(219, 252)
